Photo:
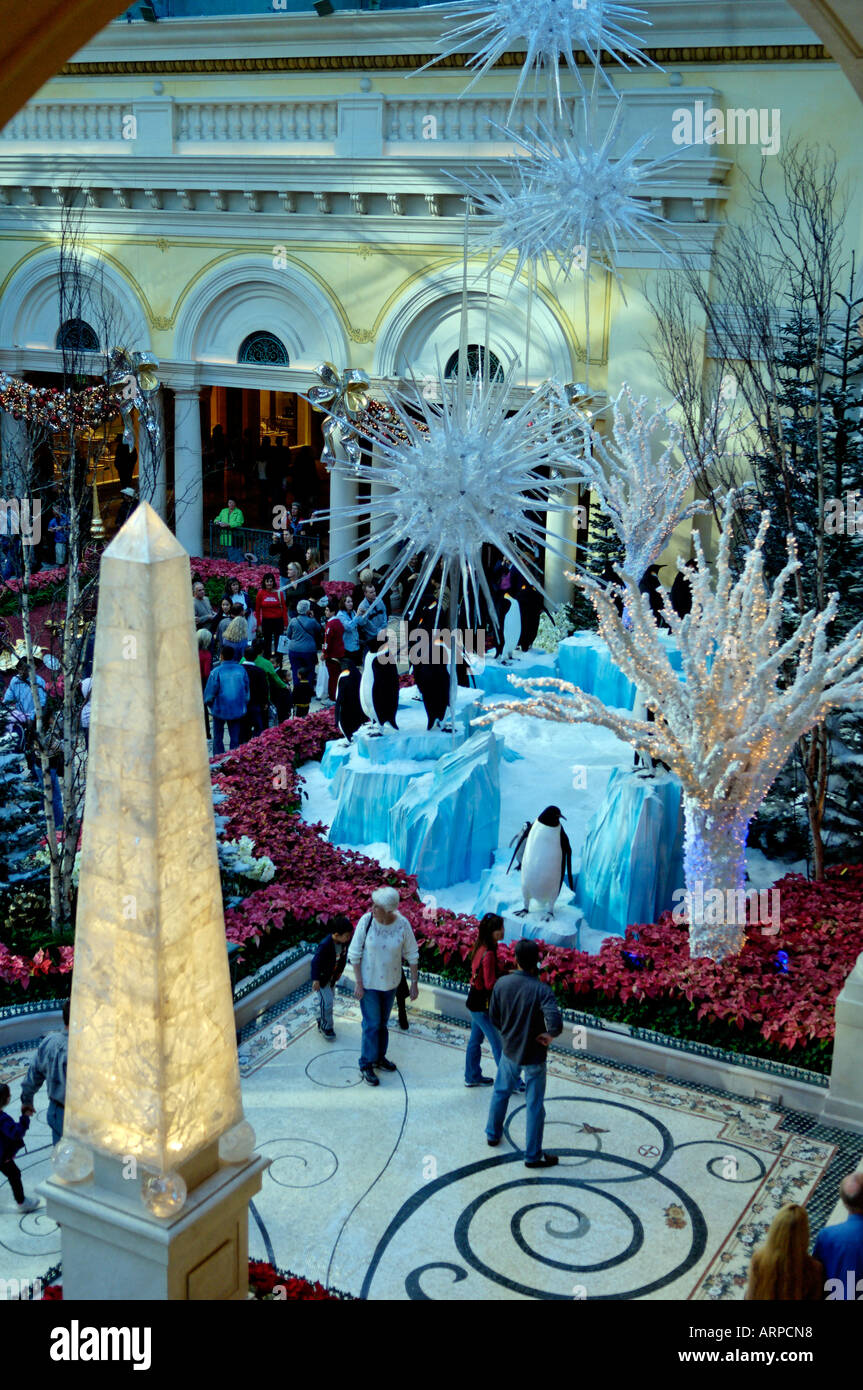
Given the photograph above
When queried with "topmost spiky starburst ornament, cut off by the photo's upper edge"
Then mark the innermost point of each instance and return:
(551, 33)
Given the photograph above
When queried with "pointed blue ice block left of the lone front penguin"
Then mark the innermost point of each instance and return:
(445, 828)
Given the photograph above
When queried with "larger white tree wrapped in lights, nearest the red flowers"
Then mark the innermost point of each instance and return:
(729, 719)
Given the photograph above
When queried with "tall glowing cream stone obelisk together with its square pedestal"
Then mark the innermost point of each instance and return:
(154, 1077)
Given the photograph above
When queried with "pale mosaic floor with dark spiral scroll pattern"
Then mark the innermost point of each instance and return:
(393, 1193)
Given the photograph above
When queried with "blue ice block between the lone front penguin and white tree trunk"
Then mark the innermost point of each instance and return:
(633, 856)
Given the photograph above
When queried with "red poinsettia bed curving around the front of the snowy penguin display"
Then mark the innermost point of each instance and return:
(762, 1003)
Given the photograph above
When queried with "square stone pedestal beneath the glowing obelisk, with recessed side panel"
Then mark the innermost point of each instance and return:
(115, 1249)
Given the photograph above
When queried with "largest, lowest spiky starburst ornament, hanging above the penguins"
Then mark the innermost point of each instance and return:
(469, 471)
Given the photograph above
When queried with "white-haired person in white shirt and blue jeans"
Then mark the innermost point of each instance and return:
(380, 943)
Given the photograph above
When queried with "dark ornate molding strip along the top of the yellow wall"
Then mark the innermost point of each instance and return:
(398, 62)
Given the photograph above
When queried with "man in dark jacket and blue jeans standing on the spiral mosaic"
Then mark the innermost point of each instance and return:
(525, 1011)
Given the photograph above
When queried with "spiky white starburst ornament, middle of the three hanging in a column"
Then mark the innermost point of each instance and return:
(568, 202)
